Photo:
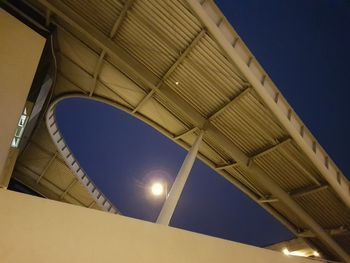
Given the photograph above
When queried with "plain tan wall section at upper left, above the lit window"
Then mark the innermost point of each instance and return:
(20, 51)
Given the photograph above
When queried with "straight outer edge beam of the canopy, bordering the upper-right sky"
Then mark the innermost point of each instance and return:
(206, 13)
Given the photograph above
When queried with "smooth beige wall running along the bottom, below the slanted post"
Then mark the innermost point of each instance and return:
(38, 230)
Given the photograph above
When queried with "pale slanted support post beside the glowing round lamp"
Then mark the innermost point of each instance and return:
(174, 195)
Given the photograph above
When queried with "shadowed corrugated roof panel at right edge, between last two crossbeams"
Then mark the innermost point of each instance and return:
(324, 206)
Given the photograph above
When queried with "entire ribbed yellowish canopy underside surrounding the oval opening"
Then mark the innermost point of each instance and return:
(160, 62)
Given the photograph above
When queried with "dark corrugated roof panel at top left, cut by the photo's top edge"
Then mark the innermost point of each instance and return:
(102, 14)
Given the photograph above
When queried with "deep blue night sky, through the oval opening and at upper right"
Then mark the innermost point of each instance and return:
(303, 45)
